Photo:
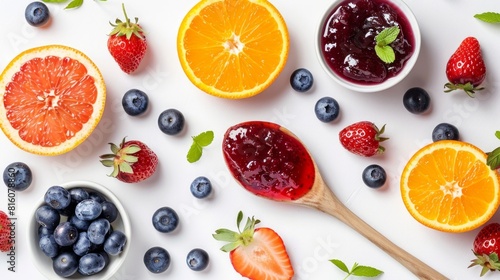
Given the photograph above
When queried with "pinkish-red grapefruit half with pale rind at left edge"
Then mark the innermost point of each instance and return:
(51, 99)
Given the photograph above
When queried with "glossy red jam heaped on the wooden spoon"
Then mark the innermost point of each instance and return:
(268, 162)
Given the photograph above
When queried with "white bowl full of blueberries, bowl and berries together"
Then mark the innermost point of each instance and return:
(79, 230)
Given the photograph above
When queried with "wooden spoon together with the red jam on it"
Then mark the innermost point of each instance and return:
(270, 161)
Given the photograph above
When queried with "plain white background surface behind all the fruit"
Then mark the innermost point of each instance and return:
(310, 236)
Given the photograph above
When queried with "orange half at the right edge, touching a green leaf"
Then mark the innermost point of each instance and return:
(447, 186)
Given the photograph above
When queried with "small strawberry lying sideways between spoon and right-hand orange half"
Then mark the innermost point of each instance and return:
(362, 138)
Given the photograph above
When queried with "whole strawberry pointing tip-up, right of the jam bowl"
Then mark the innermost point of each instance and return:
(465, 69)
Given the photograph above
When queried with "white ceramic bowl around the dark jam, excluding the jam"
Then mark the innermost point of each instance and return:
(387, 83)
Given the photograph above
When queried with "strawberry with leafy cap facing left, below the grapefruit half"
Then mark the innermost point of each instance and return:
(132, 161)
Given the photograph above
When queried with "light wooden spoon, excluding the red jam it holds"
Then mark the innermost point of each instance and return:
(322, 198)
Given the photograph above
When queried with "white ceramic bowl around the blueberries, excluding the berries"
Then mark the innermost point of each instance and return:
(44, 263)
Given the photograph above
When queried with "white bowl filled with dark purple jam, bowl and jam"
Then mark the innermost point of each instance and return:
(347, 38)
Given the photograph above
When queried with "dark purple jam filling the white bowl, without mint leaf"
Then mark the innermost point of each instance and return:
(348, 40)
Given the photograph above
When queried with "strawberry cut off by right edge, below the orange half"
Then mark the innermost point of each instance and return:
(486, 248)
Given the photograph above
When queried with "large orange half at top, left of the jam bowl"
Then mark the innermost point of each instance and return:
(233, 48)
